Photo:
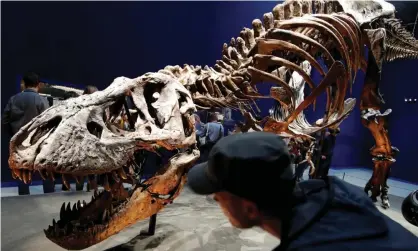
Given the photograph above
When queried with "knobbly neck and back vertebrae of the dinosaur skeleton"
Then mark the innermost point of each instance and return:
(228, 83)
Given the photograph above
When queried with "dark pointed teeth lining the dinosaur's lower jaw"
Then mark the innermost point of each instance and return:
(70, 216)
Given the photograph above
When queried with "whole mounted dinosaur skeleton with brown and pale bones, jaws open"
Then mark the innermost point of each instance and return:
(75, 138)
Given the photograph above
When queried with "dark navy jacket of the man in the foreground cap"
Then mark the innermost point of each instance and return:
(341, 217)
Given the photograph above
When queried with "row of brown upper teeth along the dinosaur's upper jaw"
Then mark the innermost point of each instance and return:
(25, 175)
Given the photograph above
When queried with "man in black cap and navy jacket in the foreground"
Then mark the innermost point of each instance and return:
(253, 182)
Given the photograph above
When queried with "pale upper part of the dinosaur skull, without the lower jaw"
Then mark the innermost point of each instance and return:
(74, 138)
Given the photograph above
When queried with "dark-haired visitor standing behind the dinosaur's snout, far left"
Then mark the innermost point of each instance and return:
(20, 110)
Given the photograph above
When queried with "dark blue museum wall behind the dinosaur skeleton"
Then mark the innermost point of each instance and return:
(92, 43)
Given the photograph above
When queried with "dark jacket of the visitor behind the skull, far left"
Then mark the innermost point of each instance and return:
(22, 108)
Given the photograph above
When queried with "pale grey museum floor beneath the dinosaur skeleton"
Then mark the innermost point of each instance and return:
(191, 223)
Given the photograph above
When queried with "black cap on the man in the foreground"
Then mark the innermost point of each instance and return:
(255, 166)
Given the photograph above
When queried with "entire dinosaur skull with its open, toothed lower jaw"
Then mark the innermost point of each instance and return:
(77, 138)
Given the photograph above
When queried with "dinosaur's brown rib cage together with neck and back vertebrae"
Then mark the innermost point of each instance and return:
(287, 36)
